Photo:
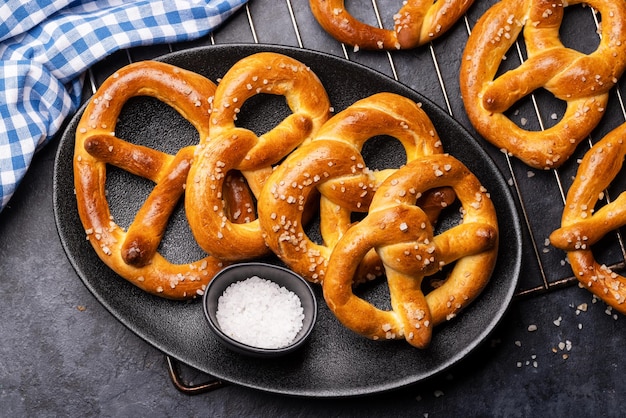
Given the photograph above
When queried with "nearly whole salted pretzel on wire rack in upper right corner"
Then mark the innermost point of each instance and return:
(580, 80)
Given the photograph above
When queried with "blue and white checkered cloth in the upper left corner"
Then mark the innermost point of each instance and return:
(46, 46)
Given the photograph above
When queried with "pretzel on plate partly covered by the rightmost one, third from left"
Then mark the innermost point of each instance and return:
(332, 164)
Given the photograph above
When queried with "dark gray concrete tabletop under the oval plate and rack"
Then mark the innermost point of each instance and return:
(63, 354)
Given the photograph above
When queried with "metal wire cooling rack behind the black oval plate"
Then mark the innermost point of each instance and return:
(540, 195)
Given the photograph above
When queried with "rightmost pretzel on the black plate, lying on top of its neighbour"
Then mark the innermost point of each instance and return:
(404, 239)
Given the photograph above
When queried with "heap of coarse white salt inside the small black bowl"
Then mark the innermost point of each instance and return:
(260, 313)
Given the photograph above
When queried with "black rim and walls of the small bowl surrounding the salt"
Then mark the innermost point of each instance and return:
(279, 275)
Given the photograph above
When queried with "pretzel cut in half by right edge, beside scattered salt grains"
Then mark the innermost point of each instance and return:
(582, 225)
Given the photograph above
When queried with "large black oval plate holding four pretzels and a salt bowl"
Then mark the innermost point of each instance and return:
(335, 362)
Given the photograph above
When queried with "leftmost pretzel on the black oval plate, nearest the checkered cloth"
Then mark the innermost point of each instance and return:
(132, 253)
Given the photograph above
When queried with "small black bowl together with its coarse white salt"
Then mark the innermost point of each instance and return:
(260, 309)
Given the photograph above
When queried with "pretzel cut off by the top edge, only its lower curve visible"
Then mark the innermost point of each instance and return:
(415, 24)
